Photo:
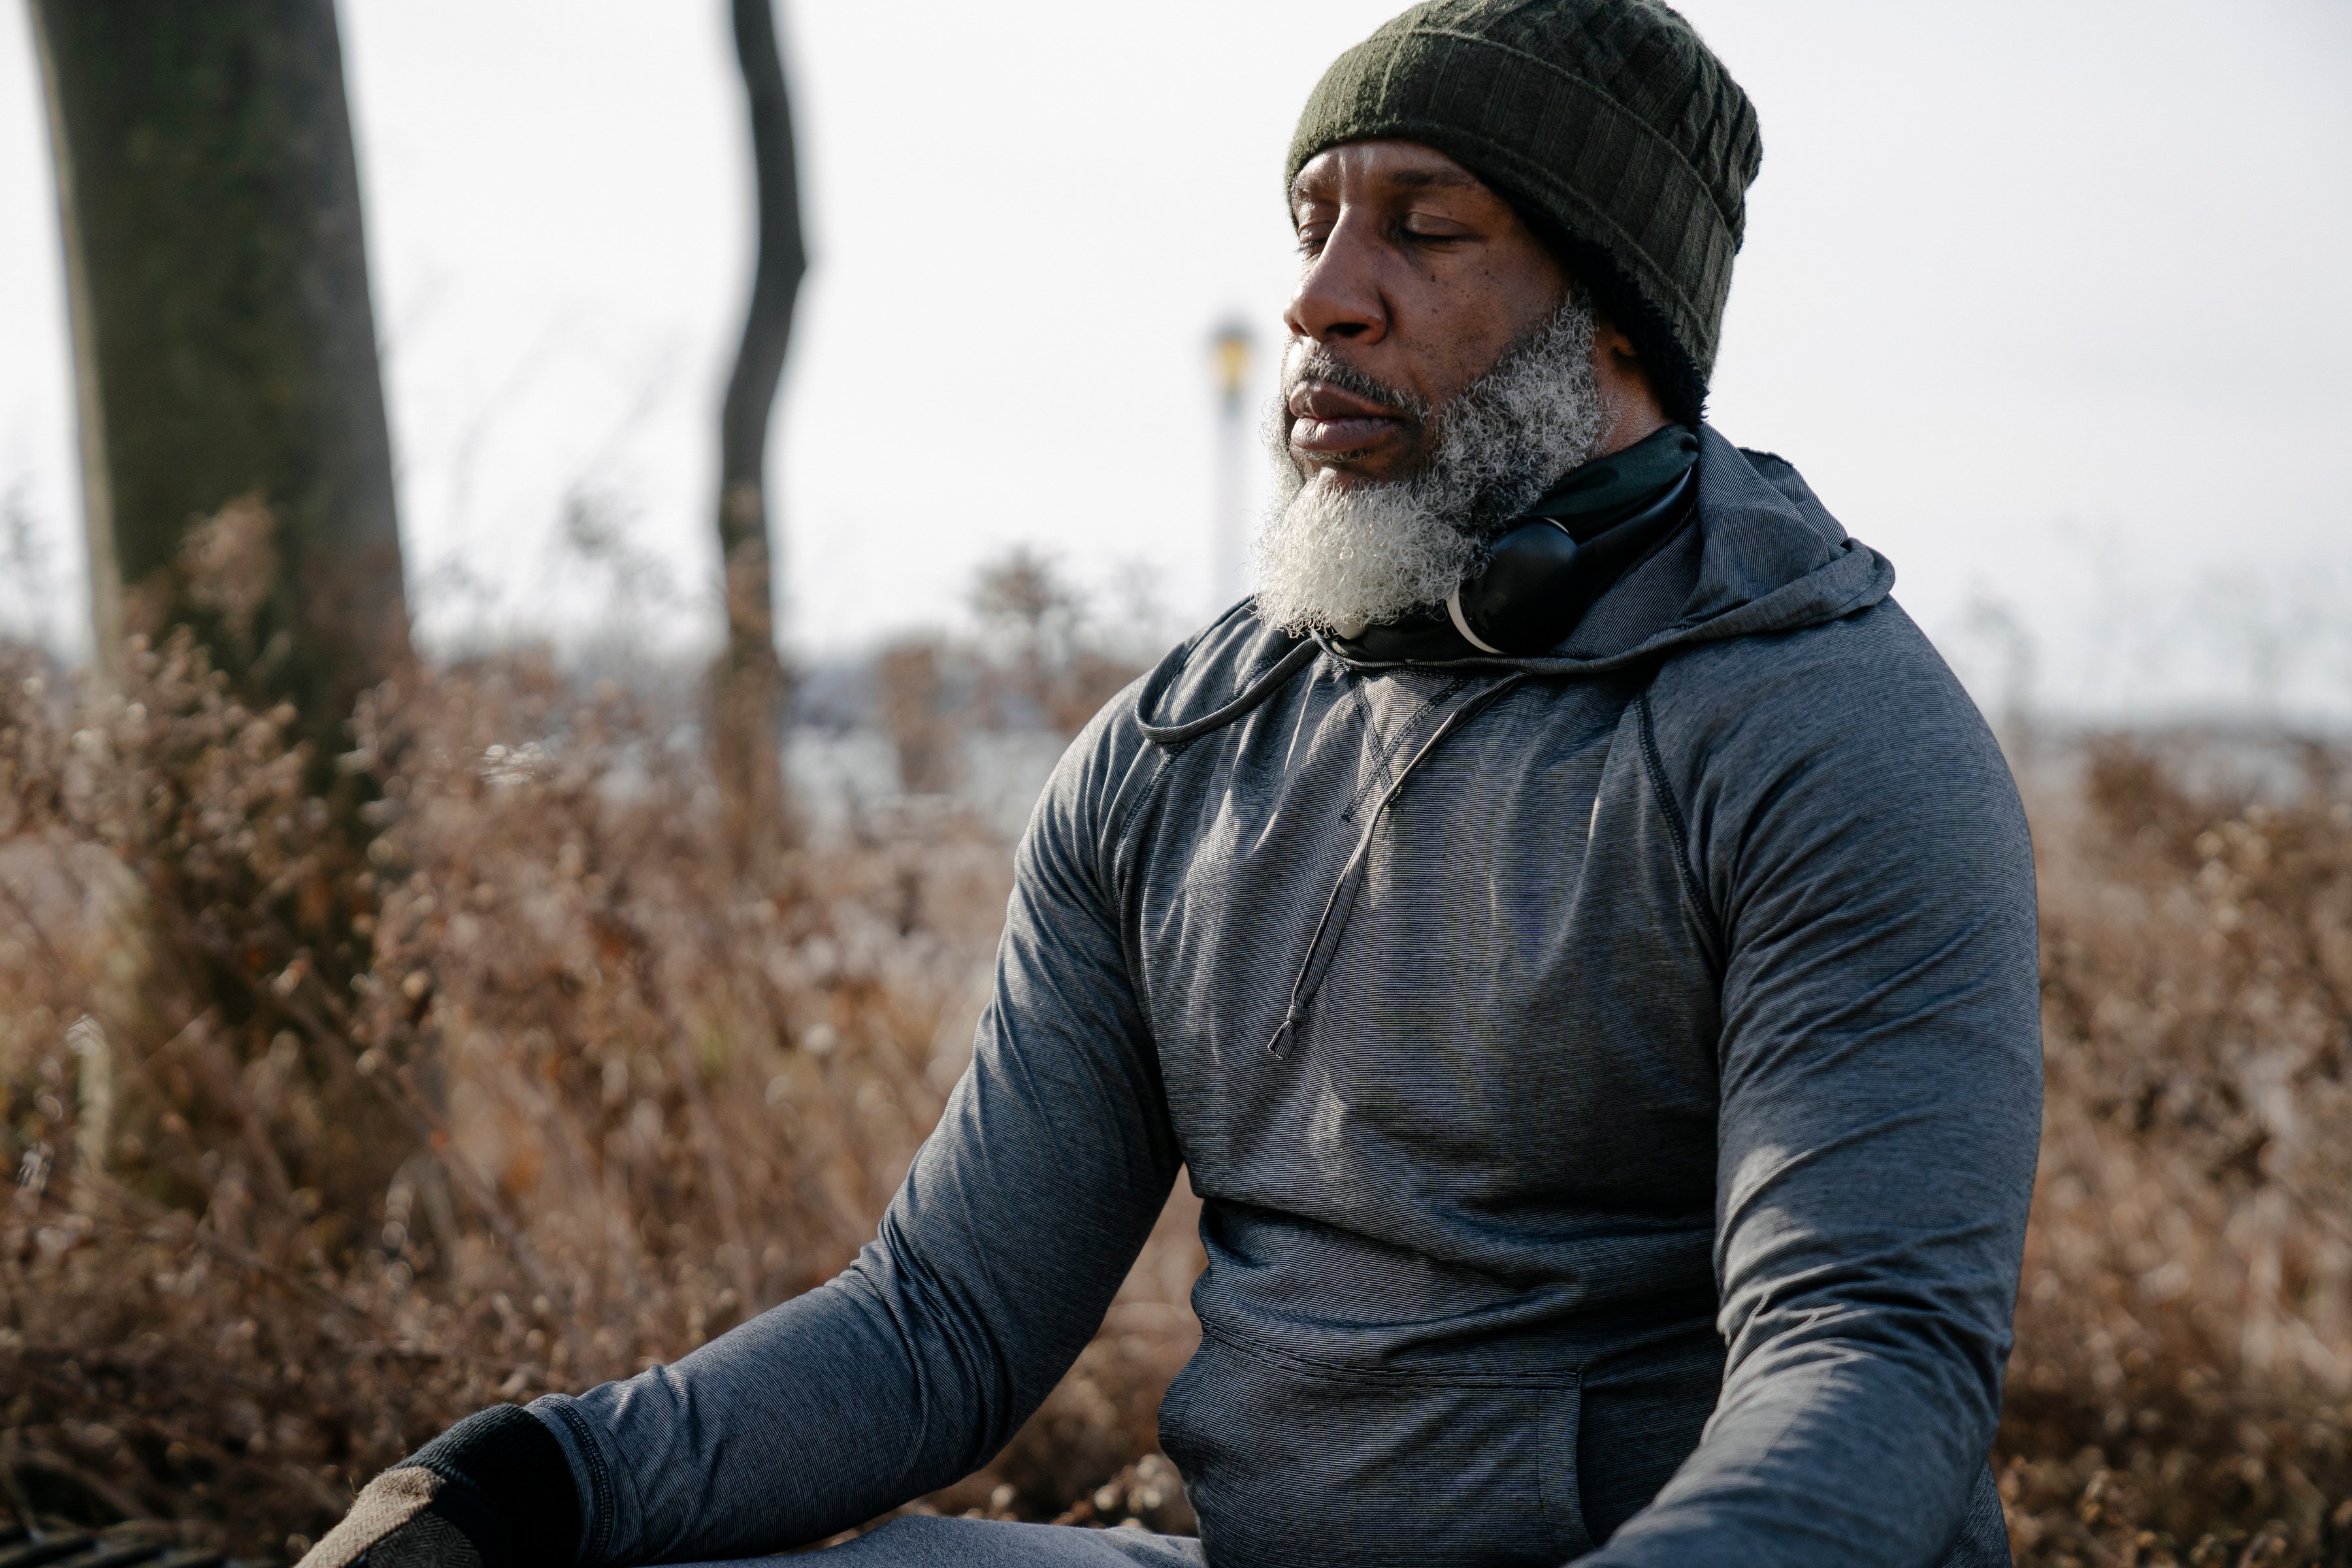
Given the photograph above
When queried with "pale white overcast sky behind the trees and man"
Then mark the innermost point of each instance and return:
(2045, 297)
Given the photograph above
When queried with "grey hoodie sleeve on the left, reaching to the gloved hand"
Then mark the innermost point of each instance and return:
(994, 1268)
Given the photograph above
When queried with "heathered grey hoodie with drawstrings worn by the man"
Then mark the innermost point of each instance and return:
(1643, 1181)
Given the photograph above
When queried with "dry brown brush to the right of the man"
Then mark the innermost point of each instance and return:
(2186, 1318)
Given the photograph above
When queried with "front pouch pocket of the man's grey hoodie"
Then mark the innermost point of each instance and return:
(1295, 1463)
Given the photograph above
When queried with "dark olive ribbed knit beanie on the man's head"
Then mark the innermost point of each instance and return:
(1608, 123)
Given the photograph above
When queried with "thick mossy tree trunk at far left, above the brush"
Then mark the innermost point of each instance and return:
(225, 340)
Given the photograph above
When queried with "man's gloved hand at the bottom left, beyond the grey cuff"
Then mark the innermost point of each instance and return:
(493, 1492)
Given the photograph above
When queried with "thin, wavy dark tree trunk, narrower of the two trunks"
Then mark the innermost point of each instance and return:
(747, 711)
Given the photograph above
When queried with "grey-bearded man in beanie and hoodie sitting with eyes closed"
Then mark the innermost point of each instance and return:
(1570, 925)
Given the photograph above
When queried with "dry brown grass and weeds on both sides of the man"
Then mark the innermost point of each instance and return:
(326, 1137)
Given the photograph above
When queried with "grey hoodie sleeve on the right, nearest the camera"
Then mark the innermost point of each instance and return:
(1862, 852)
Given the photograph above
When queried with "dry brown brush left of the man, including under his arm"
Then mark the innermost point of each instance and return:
(330, 1137)
